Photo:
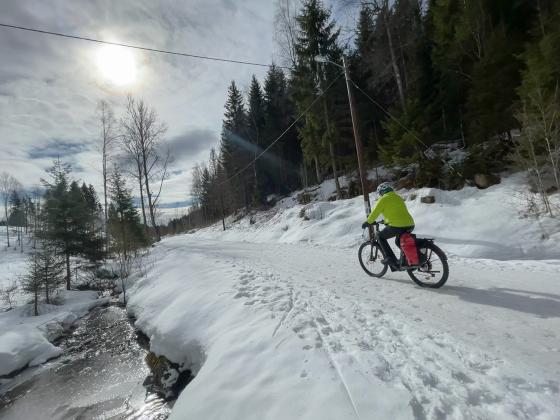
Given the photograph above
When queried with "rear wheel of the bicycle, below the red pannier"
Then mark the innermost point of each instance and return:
(434, 270)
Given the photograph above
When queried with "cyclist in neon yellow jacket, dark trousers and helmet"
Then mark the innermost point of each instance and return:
(397, 219)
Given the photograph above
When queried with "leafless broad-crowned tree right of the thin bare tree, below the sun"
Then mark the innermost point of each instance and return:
(142, 139)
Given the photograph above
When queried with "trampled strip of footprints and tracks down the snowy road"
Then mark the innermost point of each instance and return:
(444, 377)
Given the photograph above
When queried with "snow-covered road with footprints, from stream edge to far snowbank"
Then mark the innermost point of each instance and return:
(299, 331)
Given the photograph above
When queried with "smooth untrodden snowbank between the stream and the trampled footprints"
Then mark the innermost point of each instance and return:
(246, 366)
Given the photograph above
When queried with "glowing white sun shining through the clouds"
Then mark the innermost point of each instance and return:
(117, 64)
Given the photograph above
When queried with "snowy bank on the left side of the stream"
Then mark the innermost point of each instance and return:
(25, 339)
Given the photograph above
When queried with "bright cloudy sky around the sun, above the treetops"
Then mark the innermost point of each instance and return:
(50, 86)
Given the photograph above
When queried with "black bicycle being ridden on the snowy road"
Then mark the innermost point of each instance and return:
(432, 261)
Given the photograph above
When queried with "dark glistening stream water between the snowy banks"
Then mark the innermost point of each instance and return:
(100, 376)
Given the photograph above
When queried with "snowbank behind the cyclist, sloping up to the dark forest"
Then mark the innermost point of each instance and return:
(470, 222)
